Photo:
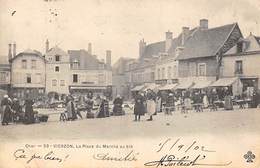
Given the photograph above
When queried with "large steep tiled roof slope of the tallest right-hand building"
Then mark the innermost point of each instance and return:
(205, 42)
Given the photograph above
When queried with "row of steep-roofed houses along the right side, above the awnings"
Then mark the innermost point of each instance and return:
(196, 57)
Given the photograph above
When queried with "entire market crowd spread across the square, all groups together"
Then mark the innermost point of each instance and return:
(145, 102)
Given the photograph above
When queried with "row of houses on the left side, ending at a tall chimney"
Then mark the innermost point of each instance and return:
(57, 71)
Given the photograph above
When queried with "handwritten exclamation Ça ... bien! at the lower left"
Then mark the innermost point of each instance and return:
(49, 156)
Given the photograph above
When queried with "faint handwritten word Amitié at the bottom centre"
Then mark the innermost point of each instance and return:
(130, 156)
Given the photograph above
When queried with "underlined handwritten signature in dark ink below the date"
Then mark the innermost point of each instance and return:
(171, 160)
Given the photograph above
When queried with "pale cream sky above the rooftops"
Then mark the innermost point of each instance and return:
(116, 25)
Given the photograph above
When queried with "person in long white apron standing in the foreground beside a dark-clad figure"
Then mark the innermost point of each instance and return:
(150, 96)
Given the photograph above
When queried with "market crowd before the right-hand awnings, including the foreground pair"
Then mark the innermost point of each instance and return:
(152, 102)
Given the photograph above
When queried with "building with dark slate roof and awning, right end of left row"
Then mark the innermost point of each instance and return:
(88, 74)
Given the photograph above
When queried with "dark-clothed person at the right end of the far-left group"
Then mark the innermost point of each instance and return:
(29, 115)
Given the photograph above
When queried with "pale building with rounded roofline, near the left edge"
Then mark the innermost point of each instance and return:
(28, 74)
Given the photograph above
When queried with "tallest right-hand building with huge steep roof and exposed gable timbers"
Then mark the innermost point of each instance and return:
(199, 60)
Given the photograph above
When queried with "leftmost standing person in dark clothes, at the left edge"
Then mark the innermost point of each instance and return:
(6, 110)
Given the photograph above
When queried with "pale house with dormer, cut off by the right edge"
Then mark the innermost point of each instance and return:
(242, 61)
